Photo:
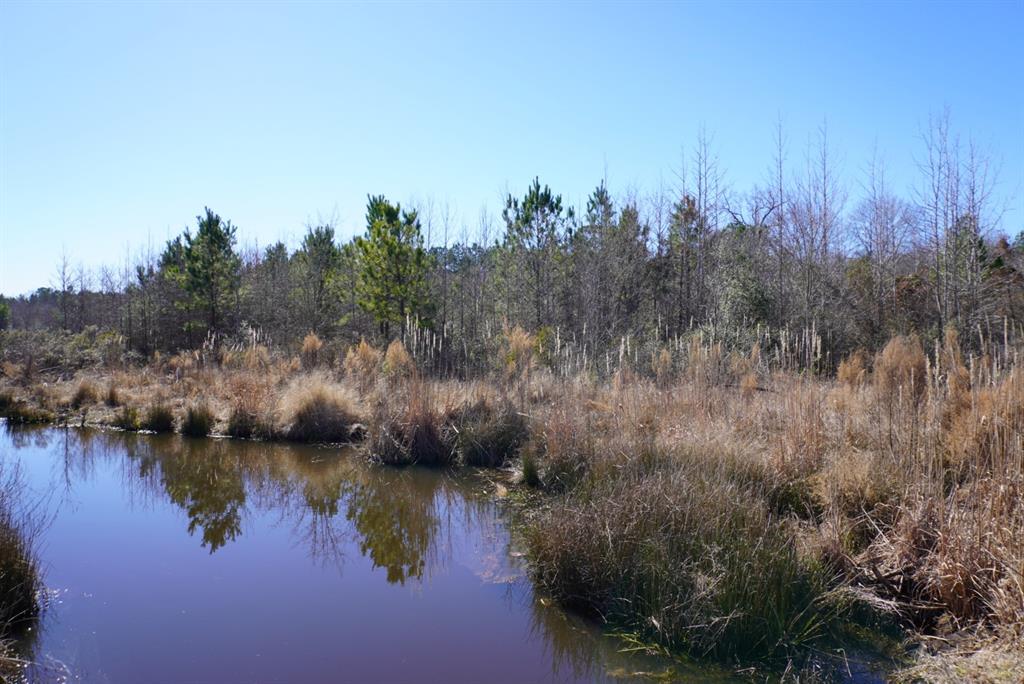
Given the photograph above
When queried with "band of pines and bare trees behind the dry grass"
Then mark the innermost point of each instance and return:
(802, 256)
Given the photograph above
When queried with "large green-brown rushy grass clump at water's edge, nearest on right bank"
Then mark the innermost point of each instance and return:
(684, 557)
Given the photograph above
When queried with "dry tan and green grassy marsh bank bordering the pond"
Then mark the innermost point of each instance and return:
(703, 501)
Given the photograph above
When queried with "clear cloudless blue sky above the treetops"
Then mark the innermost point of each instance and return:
(120, 122)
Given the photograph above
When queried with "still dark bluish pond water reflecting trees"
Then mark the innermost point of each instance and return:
(169, 560)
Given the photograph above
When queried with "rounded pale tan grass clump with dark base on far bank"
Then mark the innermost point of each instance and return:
(316, 410)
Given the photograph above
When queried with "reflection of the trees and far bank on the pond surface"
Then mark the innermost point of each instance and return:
(402, 521)
